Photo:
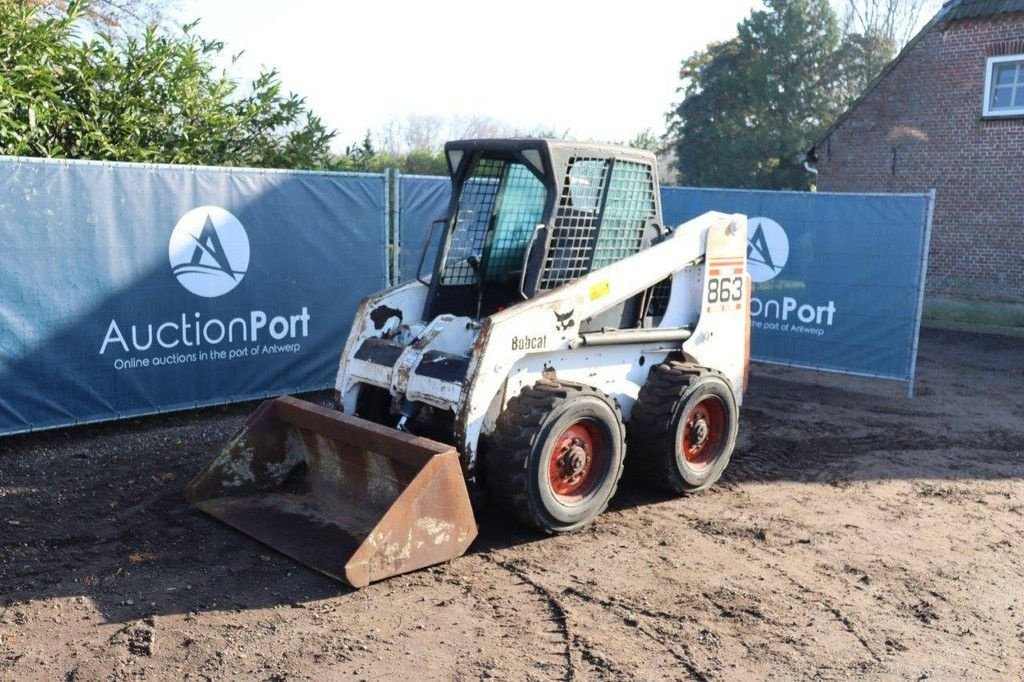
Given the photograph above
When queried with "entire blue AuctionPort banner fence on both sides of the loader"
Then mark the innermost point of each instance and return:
(131, 289)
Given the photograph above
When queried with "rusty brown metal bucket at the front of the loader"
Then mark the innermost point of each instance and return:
(355, 500)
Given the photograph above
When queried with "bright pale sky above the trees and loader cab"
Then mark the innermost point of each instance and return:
(604, 71)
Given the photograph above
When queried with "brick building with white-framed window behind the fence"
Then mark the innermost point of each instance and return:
(949, 113)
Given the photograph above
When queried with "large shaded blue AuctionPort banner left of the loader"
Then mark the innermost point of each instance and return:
(134, 289)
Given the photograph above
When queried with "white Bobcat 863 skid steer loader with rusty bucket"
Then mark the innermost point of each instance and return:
(560, 327)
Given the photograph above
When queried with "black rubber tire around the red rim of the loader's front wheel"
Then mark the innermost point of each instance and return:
(520, 455)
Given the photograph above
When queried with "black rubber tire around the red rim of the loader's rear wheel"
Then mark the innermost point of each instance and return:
(672, 390)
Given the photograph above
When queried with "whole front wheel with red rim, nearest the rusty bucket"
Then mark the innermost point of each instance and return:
(557, 456)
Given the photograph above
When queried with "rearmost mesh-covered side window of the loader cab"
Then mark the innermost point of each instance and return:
(629, 206)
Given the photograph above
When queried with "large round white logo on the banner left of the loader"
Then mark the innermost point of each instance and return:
(209, 251)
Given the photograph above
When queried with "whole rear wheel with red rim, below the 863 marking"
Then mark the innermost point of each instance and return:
(684, 429)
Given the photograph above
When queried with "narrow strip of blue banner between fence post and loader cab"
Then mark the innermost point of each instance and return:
(422, 199)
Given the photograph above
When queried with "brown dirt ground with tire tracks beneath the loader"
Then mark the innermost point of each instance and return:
(857, 534)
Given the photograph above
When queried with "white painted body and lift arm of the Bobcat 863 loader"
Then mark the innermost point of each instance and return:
(516, 348)
